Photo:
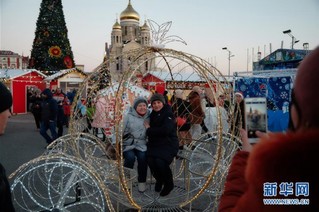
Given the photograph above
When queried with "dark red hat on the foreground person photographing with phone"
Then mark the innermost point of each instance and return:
(306, 89)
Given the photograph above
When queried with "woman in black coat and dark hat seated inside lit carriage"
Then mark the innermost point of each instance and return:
(162, 144)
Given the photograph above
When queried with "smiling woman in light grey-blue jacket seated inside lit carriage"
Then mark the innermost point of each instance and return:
(134, 139)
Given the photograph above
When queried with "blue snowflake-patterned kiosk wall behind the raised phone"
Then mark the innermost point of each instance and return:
(276, 86)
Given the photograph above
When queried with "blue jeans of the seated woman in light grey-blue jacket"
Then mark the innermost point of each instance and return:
(129, 160)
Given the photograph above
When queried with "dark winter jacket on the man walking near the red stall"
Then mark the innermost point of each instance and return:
(49, 107)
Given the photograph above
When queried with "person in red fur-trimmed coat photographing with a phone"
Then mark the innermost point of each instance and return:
(281, 166)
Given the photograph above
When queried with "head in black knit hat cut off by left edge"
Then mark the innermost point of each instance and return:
(5, 105)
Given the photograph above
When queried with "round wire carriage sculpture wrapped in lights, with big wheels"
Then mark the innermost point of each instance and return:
(77, 173)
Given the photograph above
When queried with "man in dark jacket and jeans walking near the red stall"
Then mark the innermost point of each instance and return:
(49, 109)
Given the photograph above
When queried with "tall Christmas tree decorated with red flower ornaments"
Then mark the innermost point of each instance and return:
(51, 50)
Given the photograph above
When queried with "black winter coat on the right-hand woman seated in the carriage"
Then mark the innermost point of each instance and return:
(162, 136)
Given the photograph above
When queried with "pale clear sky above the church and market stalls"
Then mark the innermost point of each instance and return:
(206, 25)
